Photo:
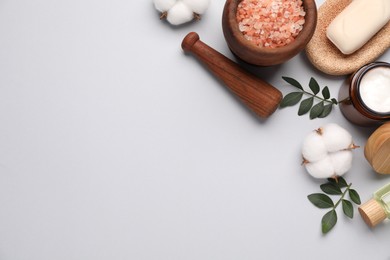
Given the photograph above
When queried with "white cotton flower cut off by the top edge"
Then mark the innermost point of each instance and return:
(181, 11)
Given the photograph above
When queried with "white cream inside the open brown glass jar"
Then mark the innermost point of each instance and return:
(374, 89)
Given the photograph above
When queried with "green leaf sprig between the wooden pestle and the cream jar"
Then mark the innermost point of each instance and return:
(320, 109)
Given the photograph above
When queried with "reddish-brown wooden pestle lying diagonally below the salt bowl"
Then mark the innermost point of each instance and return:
(258, 95)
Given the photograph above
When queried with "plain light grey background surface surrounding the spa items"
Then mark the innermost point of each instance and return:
(116, 145)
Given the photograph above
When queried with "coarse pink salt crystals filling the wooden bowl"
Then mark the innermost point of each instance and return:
(270, 23)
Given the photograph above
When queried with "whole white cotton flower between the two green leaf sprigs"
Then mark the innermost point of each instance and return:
(327, 151)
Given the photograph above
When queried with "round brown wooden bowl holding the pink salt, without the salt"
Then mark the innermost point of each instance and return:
(263, 56)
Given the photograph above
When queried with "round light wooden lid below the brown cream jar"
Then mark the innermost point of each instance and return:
(377, 149)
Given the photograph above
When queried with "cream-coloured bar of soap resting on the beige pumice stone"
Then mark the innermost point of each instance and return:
(358, 23)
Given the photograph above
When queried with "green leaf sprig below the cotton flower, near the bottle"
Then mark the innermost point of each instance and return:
(323, 201)
